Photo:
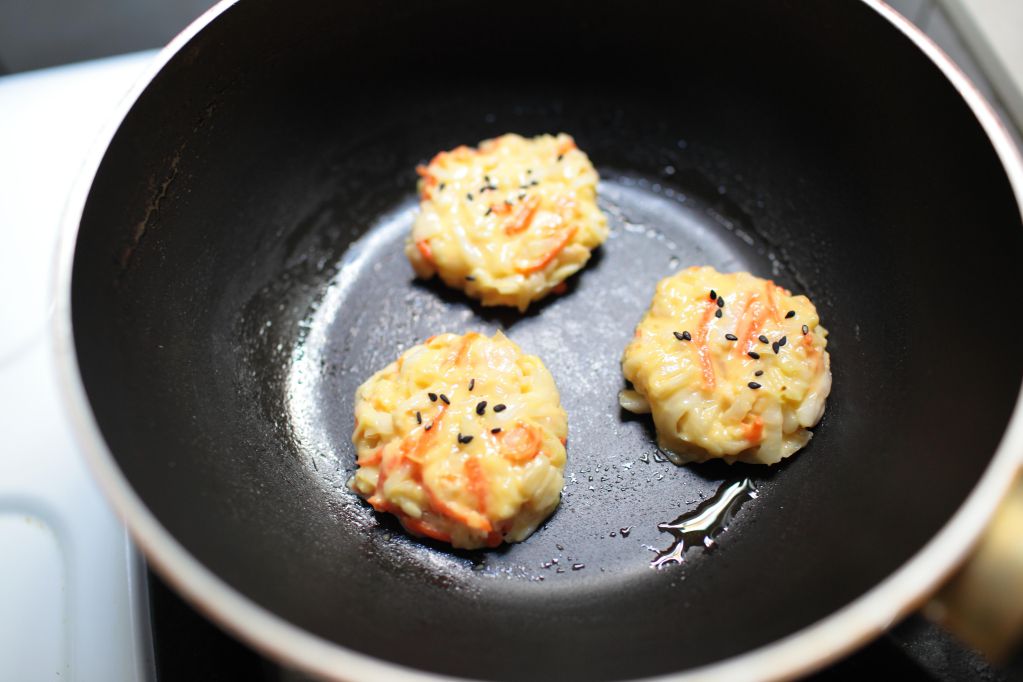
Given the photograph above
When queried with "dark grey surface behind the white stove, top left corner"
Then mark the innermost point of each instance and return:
(36, 34)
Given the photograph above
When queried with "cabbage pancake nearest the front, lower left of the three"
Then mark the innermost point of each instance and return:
(463, 439)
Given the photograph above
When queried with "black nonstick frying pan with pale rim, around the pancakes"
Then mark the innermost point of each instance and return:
(234, 271)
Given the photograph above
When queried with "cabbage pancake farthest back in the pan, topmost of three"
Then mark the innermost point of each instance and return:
(510, 221)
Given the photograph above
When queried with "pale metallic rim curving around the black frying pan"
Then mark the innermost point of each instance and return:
(798, 654)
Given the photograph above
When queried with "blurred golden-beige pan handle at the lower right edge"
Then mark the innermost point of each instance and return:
(983, 605)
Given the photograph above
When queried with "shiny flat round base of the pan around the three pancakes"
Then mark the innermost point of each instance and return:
(375, 309)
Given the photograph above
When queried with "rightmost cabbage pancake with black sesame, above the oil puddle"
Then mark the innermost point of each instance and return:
(731, 367)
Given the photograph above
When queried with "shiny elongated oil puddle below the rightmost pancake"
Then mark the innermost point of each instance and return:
(705, 523)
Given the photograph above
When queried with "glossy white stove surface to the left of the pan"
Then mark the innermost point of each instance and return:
(70, 580)
